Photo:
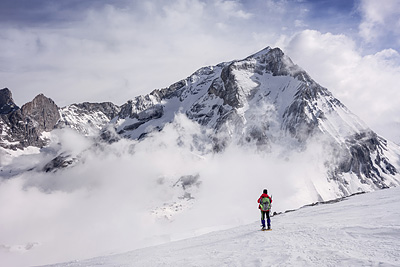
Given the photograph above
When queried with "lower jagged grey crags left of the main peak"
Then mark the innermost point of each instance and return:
(23, 127)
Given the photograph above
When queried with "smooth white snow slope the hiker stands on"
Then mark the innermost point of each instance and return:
(362, 230)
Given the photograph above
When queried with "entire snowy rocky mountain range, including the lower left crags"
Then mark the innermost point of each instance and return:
(264, 100)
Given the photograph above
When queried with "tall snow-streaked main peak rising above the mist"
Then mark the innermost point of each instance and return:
(266, 100)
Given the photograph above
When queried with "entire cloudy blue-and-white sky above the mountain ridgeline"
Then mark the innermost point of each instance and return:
(97, 50)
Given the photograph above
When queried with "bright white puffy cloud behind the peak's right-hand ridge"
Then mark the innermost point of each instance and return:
(366, 84)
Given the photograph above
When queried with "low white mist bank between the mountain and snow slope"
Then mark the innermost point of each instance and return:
(108, 202)
